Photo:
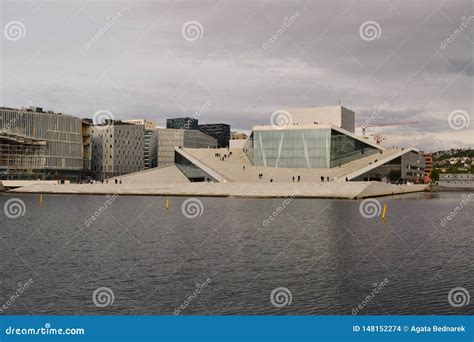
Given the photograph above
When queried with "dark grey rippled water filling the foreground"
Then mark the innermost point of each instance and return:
(153, 259)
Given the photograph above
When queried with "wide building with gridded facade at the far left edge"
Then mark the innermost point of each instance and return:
(42, 145)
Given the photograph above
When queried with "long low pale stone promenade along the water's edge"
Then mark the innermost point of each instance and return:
(347, 190)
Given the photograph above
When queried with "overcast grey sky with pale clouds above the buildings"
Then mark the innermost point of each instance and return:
(241, 60)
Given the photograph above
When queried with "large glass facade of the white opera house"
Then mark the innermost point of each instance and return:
(304, 148)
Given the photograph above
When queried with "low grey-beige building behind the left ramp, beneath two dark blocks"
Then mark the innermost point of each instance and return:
(164, 141)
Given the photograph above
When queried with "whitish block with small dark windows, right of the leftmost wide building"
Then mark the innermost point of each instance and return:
(117, 149)
